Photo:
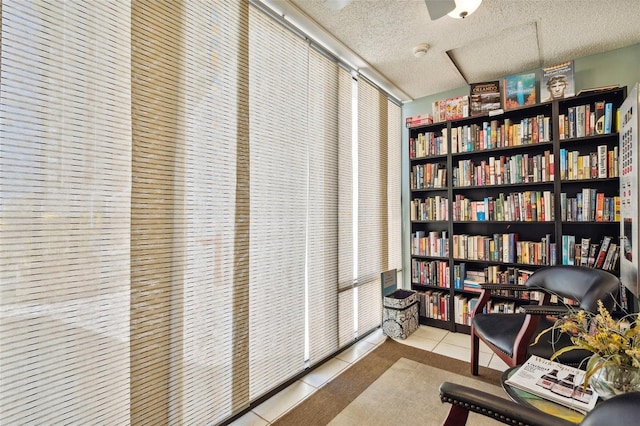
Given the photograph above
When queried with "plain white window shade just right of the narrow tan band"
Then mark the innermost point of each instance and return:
(278, 202)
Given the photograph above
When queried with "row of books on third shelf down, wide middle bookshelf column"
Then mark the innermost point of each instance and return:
(524, 206)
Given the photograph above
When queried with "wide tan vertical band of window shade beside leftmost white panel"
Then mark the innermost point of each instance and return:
(155, 228)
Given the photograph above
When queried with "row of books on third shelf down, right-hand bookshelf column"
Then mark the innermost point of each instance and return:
(589, 206)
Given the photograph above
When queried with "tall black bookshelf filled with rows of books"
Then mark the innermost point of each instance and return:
(495, 197)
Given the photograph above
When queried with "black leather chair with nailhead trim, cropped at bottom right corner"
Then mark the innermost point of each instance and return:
(622, 410)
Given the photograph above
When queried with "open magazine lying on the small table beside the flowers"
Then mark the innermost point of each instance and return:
(555, 382)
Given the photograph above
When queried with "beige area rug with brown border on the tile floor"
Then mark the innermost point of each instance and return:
(329, 401)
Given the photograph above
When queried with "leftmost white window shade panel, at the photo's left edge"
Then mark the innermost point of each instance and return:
(65, 172)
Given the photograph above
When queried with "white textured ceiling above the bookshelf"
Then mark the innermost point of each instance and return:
(502, 37)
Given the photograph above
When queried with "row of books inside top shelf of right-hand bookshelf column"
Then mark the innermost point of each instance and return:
(586, 120)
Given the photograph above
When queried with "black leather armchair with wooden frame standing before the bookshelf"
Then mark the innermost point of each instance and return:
(509, 335)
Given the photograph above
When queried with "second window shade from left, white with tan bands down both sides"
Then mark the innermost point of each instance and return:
(190, 212)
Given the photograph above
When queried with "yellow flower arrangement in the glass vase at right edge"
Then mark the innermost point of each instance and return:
(614, 343)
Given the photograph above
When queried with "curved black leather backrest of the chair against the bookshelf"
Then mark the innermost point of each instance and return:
(580, 283)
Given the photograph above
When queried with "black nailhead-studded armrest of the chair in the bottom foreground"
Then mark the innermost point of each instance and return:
(499, 409)
